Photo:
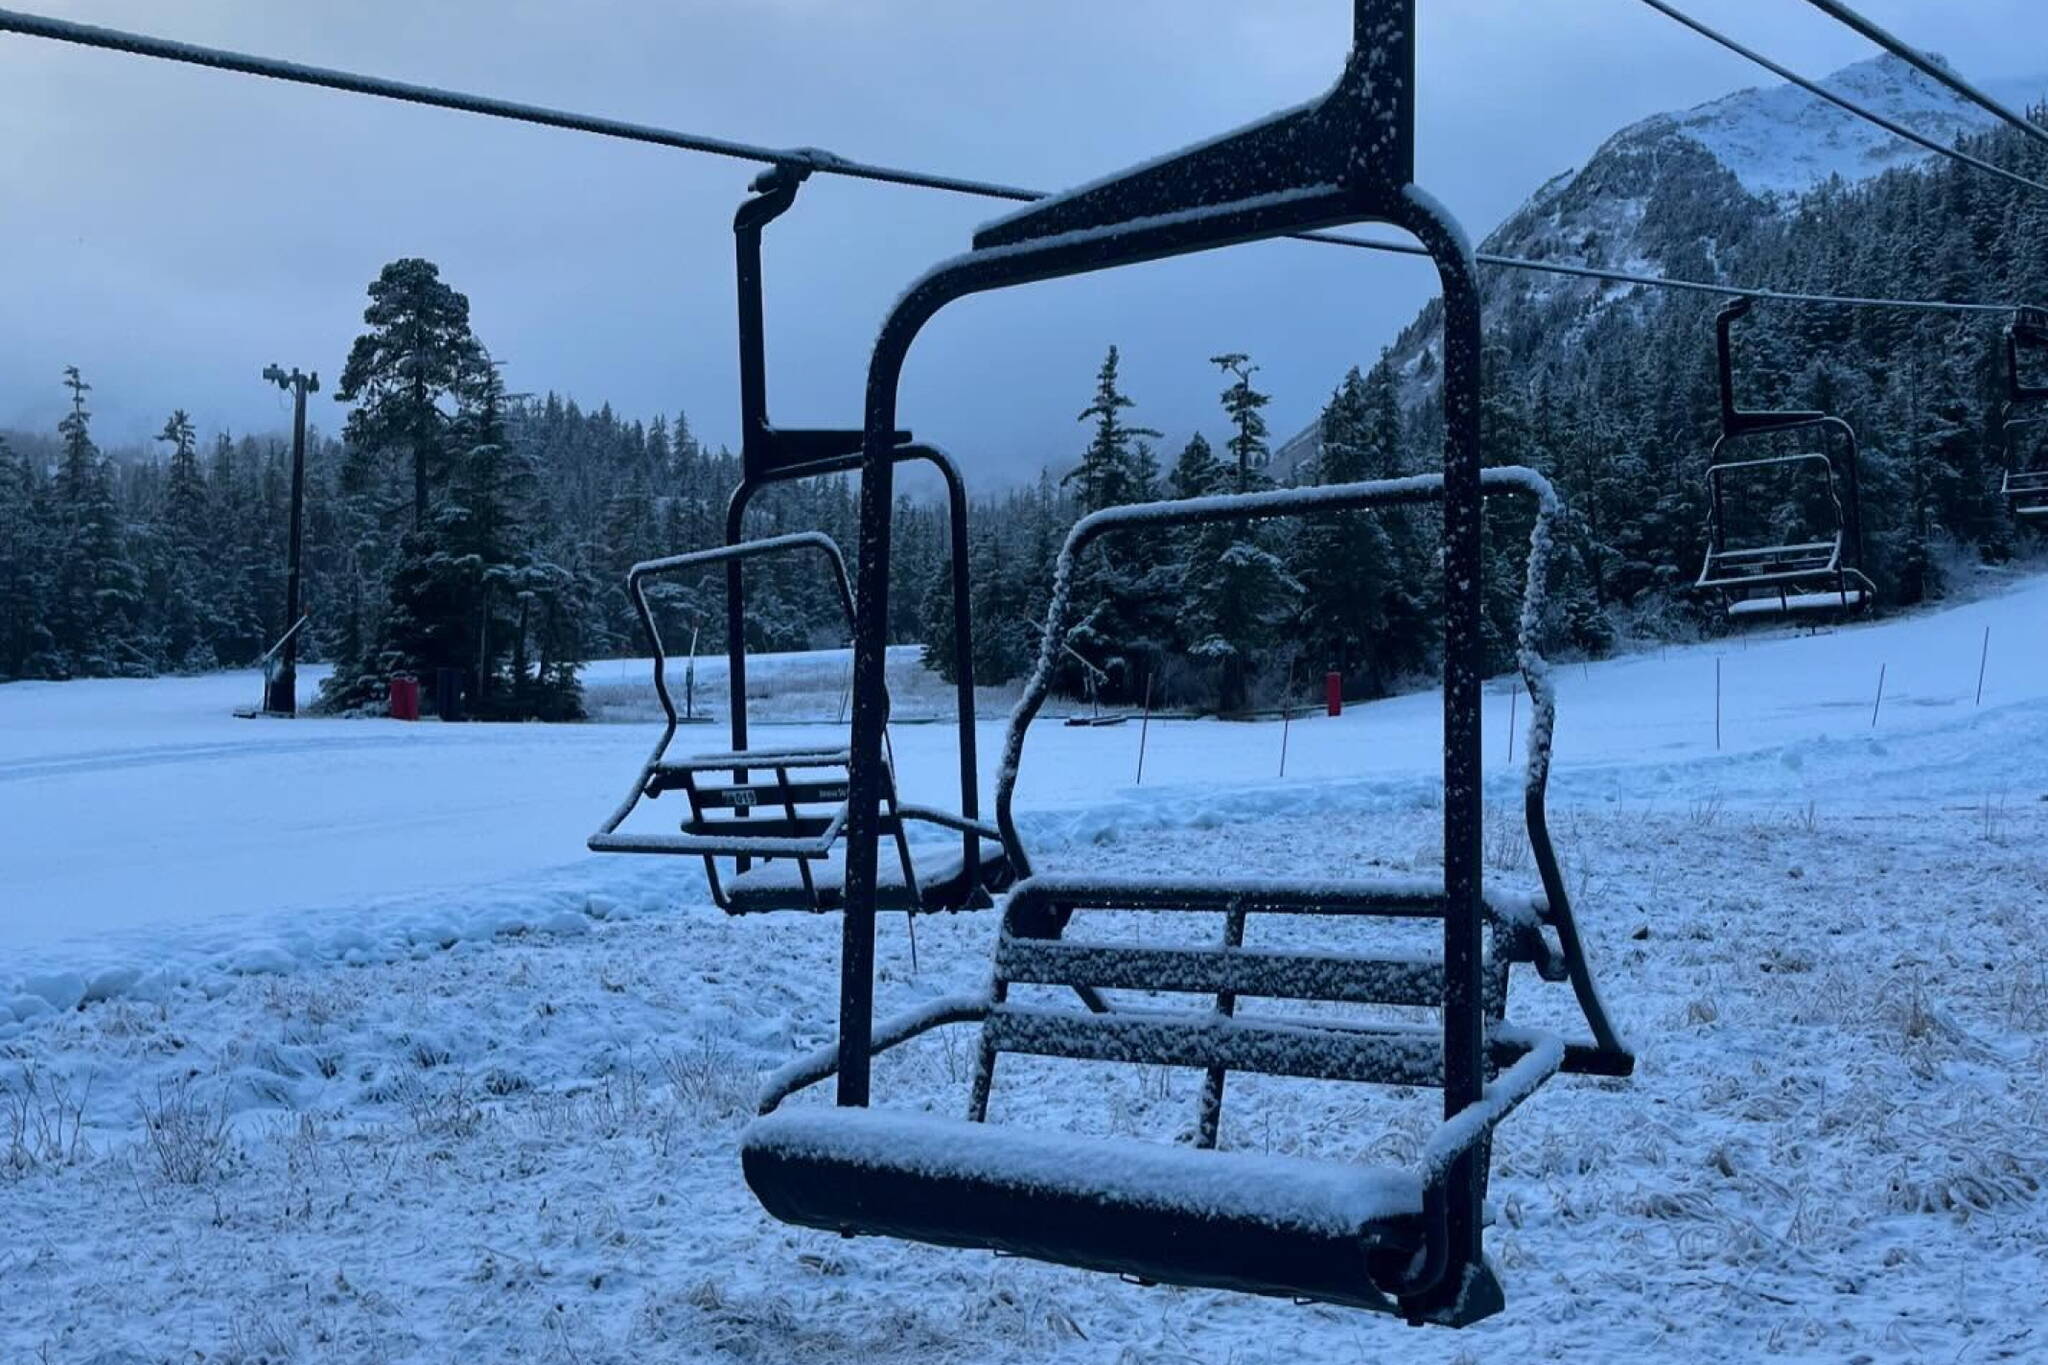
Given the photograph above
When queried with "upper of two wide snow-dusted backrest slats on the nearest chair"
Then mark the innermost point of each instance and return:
(1242, 971)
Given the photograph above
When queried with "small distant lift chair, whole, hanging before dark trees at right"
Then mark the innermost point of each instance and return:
(1750, 578)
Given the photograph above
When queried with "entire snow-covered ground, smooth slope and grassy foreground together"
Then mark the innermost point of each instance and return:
(323, 1041)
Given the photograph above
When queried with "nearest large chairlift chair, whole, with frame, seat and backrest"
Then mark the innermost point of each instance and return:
(1404, 1241)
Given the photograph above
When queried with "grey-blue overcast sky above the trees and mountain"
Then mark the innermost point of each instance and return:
(173, 230)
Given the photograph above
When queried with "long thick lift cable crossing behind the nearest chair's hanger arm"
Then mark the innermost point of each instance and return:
(806, 159)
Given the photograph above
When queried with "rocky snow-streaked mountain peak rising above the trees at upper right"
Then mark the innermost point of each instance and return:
(1676, 195)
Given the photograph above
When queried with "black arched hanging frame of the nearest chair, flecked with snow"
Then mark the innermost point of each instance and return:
(1347, 159)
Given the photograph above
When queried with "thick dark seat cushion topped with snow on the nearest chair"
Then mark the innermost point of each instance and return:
(1175, 1215)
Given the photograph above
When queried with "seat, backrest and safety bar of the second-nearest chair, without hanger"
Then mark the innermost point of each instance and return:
(777, 818)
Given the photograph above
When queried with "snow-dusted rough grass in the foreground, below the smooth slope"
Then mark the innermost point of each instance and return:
(1834, 1147)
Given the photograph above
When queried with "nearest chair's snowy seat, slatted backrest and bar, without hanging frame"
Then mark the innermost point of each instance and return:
(1367, 1237)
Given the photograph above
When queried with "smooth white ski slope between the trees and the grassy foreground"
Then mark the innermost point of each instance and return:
(142, 813)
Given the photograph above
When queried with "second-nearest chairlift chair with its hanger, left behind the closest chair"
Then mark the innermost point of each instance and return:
(771, 824)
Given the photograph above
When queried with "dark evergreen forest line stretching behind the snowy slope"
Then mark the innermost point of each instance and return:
(452, 525)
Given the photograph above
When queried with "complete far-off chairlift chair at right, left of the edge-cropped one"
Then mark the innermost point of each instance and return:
(1777, 576)
